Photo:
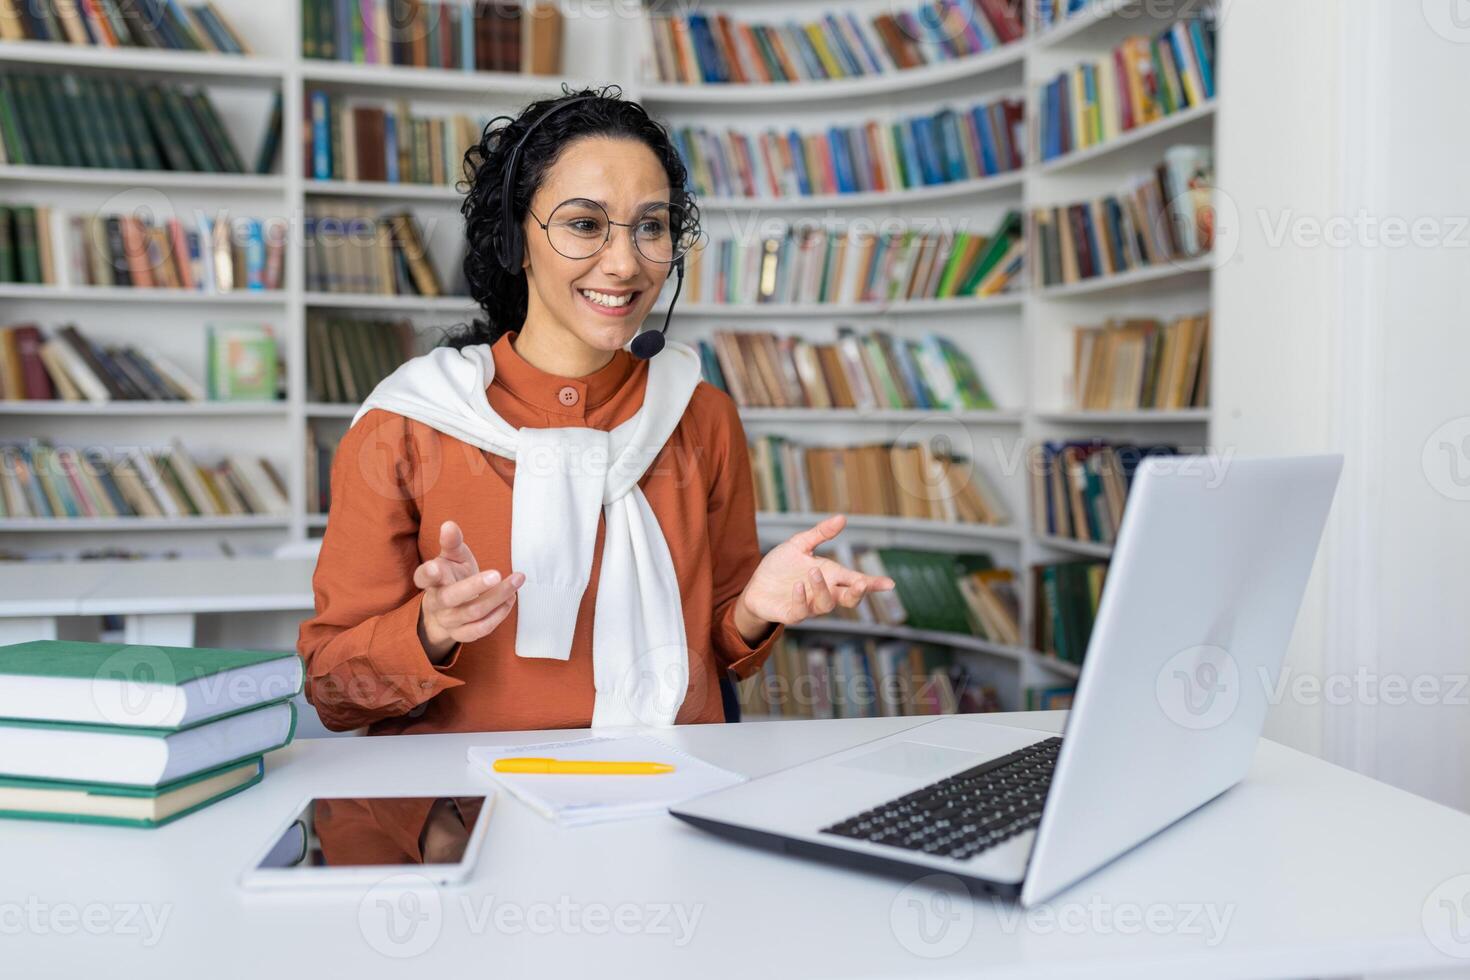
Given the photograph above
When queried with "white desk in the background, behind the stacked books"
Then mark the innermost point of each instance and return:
(158, 600)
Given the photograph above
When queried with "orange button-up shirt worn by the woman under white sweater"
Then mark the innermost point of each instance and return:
(396, 481)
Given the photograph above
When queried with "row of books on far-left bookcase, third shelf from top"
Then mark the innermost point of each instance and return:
(42, 245)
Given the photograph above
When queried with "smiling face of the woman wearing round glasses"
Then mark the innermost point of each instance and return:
(603, 300)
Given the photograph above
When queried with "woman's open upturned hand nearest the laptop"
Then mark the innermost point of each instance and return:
(792, 584)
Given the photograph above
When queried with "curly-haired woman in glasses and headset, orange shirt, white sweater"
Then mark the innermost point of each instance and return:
(436, 610)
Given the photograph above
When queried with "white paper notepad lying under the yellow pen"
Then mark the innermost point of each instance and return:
(581, 800)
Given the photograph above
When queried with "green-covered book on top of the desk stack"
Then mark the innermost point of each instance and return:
(151, 687)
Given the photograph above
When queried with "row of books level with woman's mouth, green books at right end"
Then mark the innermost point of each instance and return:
(814, 264)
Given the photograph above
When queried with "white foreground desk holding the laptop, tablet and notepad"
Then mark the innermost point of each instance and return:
(1315, 871)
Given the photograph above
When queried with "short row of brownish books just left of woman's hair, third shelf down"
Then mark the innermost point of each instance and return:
(358, 251)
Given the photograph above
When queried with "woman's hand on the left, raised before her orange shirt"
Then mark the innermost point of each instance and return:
(461, 603)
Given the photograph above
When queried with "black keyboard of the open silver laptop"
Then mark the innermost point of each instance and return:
(967, 813)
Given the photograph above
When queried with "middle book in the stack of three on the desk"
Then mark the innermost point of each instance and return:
(137, 756)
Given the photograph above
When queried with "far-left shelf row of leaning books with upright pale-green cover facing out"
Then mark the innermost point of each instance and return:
(70, 367)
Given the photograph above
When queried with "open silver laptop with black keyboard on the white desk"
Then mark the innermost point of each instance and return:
(1206, 580)
